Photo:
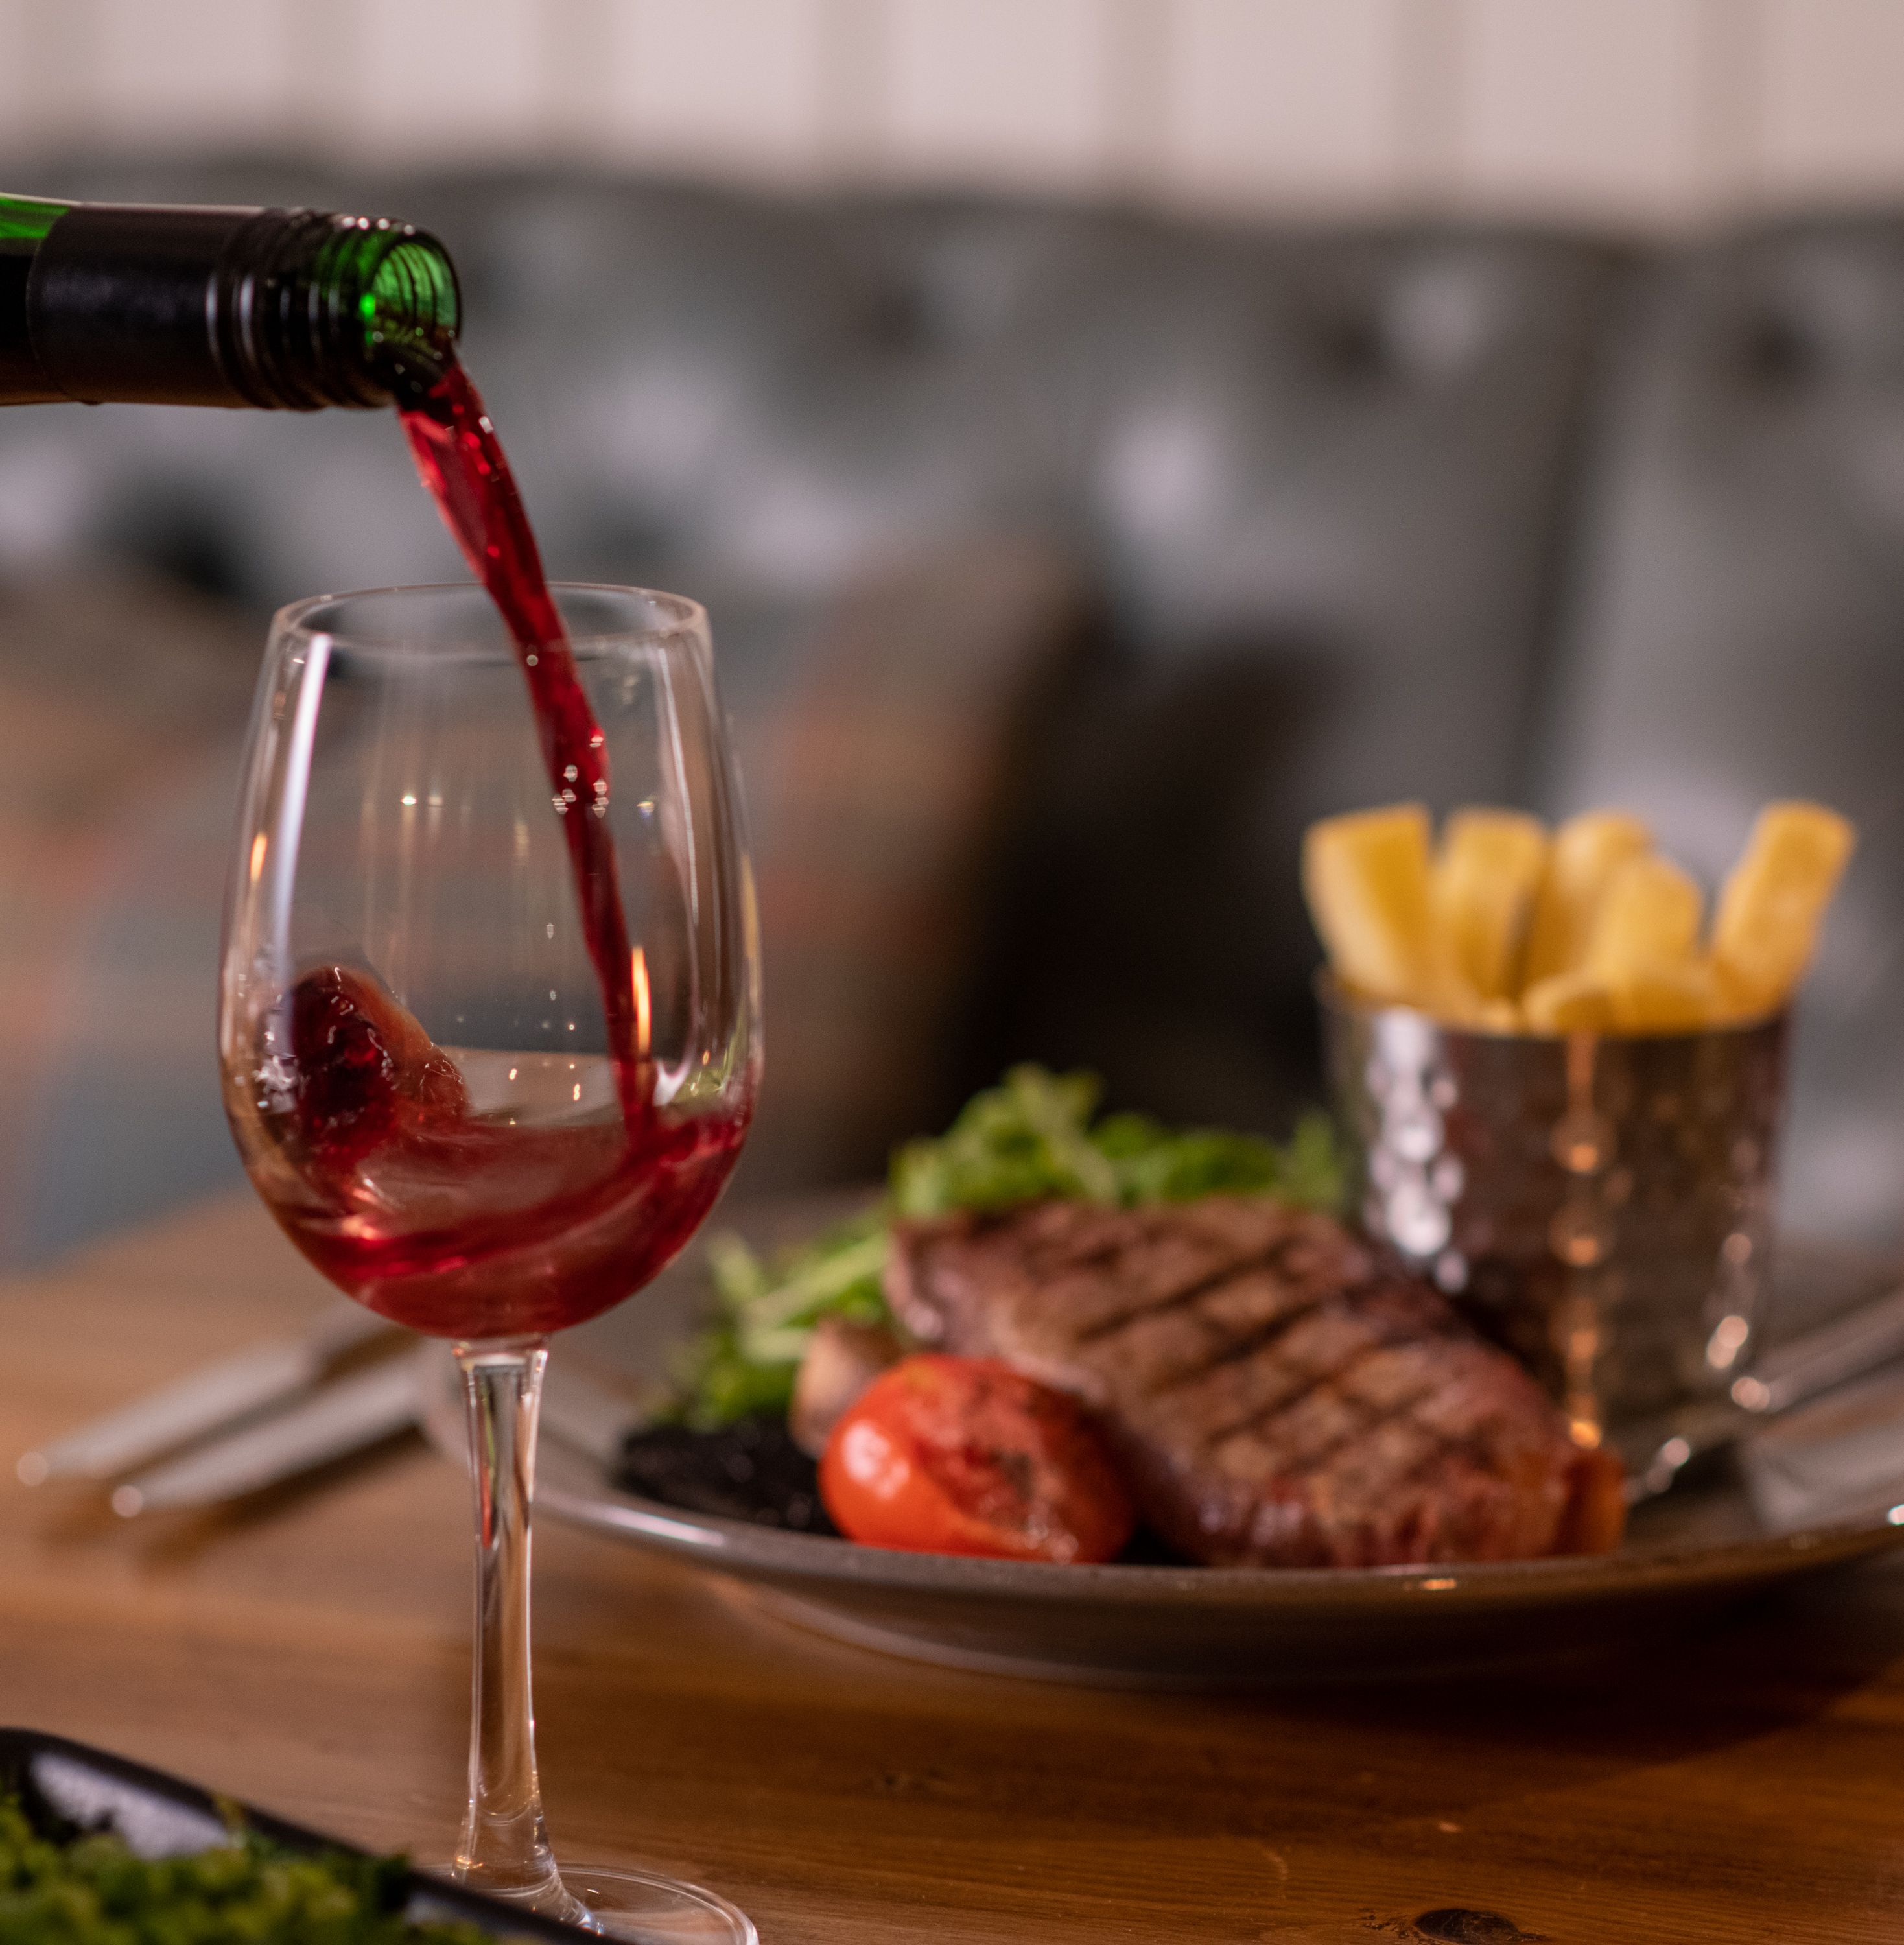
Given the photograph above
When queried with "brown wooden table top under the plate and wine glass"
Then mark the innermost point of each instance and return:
(310, 1654)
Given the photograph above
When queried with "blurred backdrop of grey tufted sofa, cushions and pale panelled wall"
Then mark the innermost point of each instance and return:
(1108, 435)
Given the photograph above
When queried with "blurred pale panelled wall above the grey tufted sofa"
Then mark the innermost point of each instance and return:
(1640, 112)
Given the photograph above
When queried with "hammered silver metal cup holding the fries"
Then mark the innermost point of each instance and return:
(1600, 1205)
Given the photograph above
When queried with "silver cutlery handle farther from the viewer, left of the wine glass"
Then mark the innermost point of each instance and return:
(205, 1401)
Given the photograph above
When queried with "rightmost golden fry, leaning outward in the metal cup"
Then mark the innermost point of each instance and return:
(1775, 900)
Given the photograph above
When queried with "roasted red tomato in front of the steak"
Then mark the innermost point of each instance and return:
(964, 1456)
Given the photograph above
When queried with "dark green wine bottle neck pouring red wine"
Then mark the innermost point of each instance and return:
(283, 310)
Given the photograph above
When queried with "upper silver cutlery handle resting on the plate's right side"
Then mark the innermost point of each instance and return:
(1792, 1374)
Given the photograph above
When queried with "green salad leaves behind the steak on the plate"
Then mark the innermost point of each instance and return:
(1034, 1137)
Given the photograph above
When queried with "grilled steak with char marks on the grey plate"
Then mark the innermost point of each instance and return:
(1277, 1394)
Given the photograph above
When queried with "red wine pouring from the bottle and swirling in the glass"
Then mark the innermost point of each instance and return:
(448, 1220)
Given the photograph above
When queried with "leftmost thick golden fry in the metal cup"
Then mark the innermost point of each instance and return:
(1366, 882)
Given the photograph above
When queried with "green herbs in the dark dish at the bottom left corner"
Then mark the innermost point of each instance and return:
(96, 1892)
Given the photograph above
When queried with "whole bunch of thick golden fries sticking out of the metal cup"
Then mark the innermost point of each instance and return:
(1506, 927)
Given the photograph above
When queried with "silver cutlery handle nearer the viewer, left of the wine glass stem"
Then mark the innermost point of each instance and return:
(343, 1419)
